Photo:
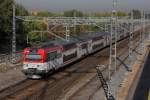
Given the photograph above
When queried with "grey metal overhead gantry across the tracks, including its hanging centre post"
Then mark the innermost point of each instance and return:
(68, 22)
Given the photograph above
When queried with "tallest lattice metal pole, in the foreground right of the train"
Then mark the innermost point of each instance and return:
(113, 51)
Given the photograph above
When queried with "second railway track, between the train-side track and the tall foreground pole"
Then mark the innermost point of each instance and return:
(89, 96)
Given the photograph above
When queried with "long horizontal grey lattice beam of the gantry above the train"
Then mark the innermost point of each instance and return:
(79, 20)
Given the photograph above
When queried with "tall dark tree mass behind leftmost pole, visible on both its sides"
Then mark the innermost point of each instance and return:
(6, 16)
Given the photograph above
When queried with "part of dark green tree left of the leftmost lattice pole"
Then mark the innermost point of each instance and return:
(5, 20)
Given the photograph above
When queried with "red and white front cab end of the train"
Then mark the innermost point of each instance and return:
(34, 65)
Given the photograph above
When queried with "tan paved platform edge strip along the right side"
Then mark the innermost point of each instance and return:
(129, 86)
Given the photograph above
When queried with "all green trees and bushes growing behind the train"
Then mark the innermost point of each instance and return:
(25, 30)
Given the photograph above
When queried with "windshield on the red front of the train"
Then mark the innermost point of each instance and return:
(33, 57)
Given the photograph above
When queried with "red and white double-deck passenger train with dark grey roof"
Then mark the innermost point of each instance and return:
(55, 54)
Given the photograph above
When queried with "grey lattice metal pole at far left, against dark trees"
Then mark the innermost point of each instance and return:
(14, 34)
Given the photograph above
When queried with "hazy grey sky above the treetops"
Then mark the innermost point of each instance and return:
(83, 5)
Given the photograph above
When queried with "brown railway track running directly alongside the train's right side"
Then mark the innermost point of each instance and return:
(58, 84)
